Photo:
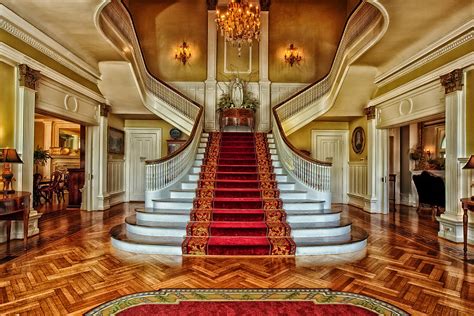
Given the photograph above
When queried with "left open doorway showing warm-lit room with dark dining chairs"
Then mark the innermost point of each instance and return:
(59, 161)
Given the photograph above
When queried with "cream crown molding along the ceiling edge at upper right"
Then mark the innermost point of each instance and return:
(444, 45)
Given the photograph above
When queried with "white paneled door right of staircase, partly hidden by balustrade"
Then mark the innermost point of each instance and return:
(332, 146)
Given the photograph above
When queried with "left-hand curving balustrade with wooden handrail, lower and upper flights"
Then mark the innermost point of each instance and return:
(121, 32)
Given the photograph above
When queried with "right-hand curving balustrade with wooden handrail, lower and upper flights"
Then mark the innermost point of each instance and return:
(362, 19)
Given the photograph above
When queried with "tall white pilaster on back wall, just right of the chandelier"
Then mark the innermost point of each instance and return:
(264, 112)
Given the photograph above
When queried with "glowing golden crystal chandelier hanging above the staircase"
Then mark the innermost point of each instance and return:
(240, 25)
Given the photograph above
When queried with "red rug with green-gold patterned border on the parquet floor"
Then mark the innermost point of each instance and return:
(230, 302)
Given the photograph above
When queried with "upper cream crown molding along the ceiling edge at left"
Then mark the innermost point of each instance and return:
(23, 30)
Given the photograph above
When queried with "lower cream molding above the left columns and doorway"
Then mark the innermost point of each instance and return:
(14, 58)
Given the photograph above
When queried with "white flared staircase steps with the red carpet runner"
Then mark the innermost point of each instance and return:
(237, 199)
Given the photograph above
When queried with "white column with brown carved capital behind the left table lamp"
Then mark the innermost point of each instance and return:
(24, 143)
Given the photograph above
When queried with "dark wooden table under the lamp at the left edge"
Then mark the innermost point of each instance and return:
(16, 206)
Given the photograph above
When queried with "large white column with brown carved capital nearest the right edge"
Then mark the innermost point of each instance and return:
(457, 180)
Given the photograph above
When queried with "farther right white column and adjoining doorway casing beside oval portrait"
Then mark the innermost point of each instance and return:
(377, 165)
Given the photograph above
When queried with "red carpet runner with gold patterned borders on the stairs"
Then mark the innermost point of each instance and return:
(237, 210)
